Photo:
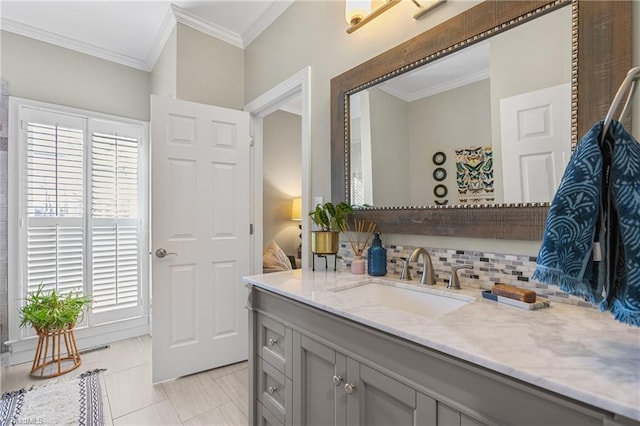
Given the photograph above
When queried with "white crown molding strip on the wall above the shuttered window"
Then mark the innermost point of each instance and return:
(68, 43)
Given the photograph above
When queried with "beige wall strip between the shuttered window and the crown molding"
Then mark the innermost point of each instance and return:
(48, 73)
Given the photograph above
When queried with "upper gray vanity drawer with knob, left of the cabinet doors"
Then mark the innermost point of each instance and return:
(274, 341)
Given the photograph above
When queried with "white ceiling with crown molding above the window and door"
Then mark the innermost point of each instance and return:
(133, 33)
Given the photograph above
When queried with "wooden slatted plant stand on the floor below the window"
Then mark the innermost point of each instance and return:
(50, 359)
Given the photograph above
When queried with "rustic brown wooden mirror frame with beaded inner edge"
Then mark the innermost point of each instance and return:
(601, 57)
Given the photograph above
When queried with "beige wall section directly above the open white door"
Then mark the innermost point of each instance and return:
(209, 71)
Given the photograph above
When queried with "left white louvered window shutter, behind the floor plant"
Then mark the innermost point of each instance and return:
(54, 202)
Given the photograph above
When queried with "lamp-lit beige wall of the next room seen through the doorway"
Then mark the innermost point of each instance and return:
(282, 178)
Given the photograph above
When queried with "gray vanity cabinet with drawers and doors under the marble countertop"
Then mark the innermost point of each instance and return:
(310, 367)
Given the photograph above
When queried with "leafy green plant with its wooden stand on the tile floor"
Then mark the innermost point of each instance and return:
(54, 317)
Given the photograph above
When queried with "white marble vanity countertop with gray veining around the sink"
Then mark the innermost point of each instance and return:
(574, 351)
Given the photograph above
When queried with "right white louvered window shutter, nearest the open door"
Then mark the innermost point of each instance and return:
(114, 211)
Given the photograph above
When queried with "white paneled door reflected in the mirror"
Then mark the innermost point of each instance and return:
(536, 143)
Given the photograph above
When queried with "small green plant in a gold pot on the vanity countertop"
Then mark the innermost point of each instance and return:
(331, 220)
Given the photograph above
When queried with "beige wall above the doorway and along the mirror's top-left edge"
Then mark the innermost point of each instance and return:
(312, 33)
